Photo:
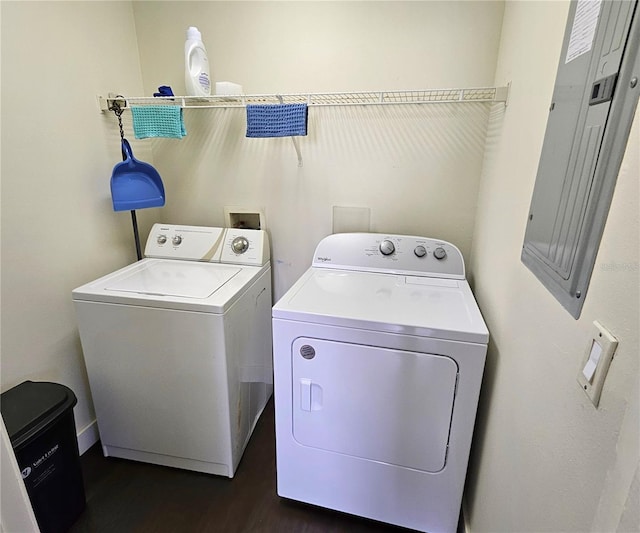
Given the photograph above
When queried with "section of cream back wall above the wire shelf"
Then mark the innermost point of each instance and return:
(319, 46)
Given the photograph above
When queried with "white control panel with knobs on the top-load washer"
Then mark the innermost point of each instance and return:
(214, 245)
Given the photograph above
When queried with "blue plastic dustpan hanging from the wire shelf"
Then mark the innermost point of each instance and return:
(135, 184)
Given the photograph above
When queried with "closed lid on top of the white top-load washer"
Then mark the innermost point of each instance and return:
(171, 278)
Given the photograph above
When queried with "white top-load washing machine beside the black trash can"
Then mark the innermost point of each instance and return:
(178, 348)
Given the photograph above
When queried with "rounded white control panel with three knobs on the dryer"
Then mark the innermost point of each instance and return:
(400, 254)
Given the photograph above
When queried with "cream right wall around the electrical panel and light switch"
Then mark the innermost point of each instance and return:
(544, 459)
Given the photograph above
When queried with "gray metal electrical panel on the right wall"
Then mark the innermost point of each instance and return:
(591, 107)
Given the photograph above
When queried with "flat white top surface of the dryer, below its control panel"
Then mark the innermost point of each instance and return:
(411, 305)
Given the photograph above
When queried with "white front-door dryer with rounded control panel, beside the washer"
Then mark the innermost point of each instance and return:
(379, 351)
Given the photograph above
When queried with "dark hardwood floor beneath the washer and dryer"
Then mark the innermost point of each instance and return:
(127, 496)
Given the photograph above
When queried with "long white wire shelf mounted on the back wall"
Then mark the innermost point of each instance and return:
(427, 96)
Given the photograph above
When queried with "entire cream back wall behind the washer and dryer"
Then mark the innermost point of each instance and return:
(416, 167)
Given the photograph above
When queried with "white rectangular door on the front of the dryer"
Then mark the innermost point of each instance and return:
(374, 403)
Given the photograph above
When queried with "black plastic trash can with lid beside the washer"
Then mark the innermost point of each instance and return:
(39, 420)
